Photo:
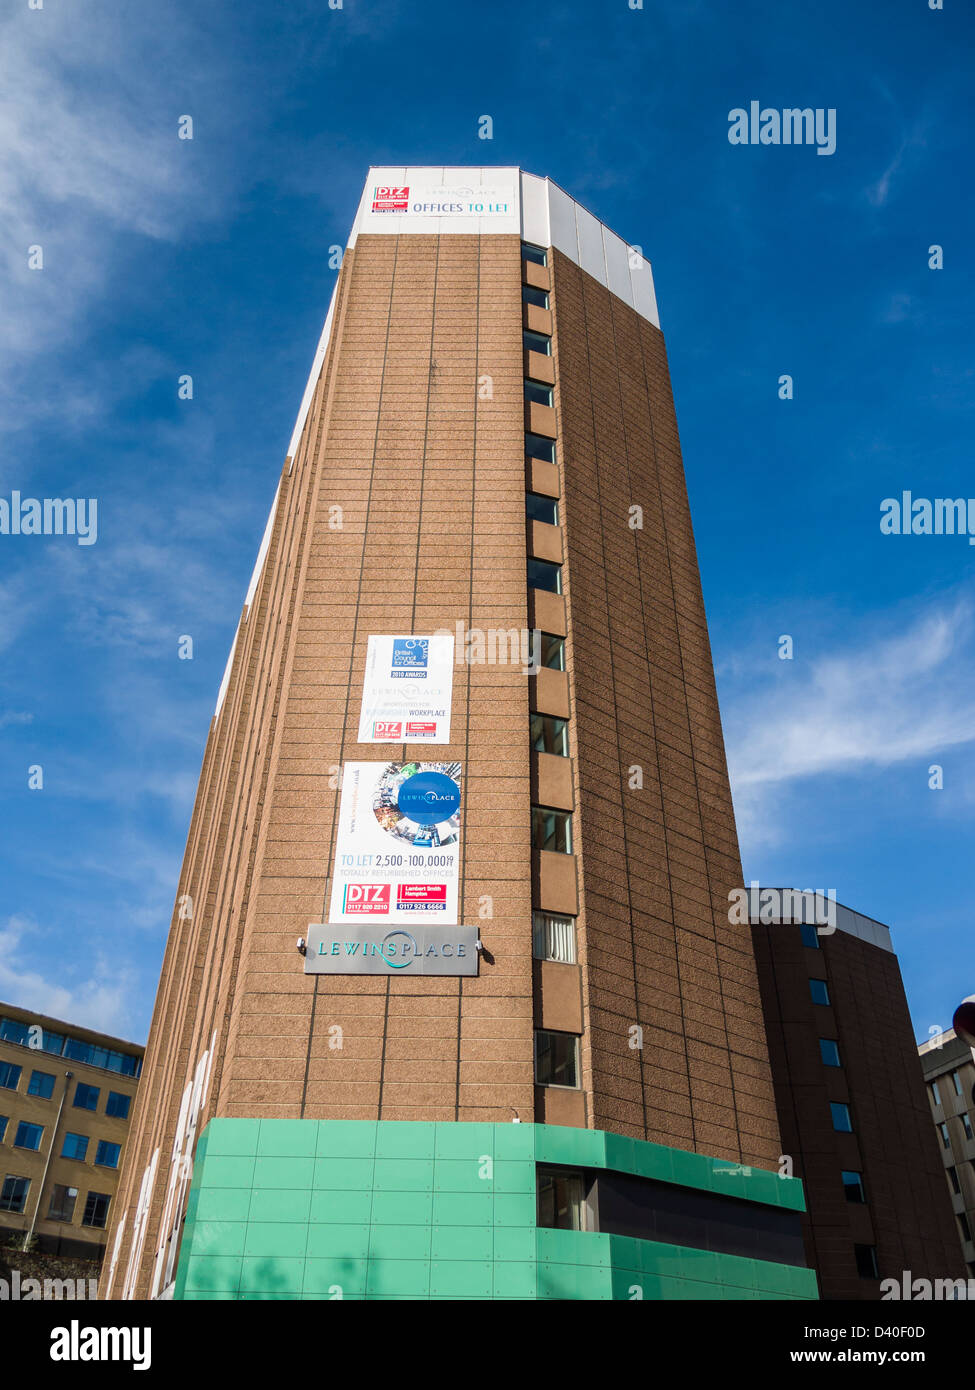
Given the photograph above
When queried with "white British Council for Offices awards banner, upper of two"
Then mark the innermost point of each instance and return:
(407, 690)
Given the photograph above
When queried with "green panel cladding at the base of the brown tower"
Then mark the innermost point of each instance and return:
(401, 1210)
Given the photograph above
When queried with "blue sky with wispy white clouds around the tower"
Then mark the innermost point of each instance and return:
(166, 256)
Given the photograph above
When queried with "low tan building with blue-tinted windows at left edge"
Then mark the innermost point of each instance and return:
(66, 1102)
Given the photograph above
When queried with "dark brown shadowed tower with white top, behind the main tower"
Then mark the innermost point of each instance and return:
(851, 1095)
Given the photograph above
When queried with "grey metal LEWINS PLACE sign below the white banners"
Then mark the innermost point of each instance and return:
(371, 950)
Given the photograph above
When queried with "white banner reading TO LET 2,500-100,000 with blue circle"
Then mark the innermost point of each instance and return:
(398, 847)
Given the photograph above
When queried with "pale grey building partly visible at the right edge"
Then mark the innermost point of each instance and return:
(949, 1074)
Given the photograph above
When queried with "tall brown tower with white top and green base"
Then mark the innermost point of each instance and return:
(504, 940)
